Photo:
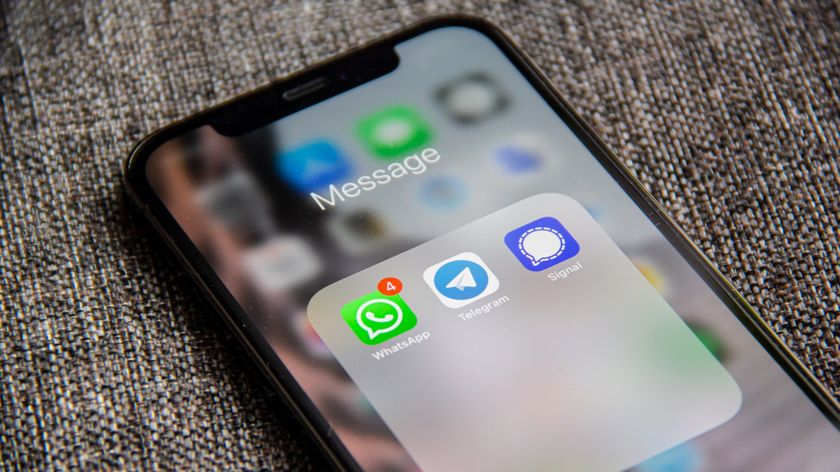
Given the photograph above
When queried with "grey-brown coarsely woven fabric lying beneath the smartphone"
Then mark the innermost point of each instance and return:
(729, 113)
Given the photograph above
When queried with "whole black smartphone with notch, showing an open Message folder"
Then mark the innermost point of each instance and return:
(441, 266)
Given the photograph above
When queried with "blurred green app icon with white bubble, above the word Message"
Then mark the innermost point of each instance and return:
(394, 131)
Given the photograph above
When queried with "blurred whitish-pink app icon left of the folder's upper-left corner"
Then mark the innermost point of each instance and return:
(281, 263)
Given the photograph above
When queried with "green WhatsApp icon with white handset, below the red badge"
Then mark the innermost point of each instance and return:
(376, 318)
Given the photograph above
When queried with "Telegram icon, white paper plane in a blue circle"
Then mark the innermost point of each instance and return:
(461, 279)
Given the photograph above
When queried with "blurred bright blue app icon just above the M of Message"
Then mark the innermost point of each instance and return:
(313, 166)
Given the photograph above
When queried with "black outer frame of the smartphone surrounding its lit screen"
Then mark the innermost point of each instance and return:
(144, 196)
